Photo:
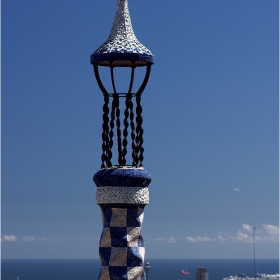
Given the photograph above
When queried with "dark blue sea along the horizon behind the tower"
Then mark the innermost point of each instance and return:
(161, 269)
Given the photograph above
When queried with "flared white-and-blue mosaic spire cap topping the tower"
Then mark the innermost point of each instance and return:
(122, 47)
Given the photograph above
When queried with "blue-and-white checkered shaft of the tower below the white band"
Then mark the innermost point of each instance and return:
(121, 247)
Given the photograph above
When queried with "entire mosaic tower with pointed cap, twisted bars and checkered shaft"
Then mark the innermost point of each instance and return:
(122, 189)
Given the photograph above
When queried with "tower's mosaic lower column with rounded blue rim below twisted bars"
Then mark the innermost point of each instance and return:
(122, 193)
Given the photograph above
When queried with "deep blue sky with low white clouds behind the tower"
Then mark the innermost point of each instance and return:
(210, 121)
